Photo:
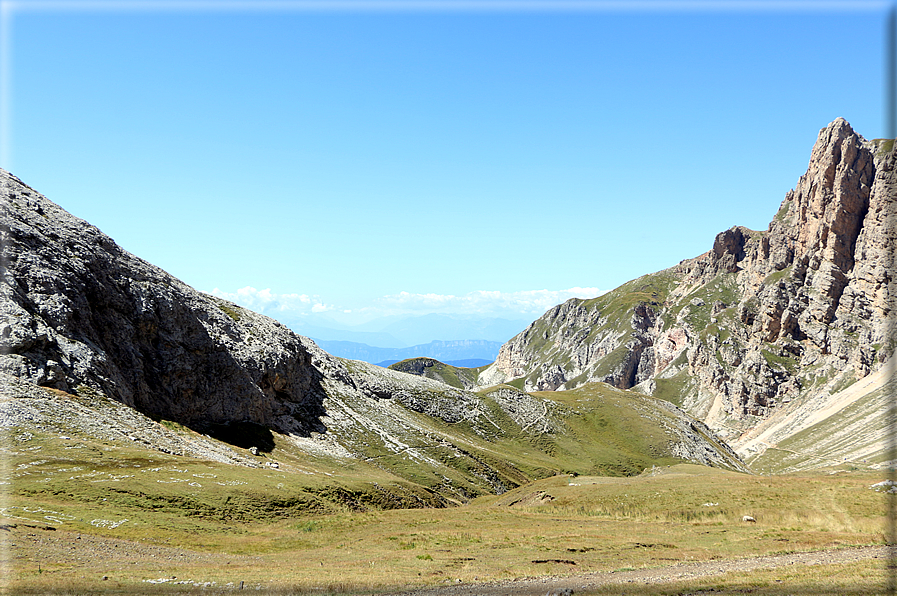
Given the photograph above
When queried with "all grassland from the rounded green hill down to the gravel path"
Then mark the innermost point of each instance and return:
(593, 483)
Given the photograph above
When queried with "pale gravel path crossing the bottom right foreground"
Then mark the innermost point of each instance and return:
(660, 575)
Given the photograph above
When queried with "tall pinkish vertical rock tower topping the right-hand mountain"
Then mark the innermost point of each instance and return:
(833, 232)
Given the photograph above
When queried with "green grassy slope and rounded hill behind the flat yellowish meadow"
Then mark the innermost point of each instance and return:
(80, 478)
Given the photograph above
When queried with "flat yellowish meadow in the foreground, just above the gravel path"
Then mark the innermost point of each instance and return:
(557, 525)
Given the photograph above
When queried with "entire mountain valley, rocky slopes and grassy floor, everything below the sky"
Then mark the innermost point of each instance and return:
(738, 405)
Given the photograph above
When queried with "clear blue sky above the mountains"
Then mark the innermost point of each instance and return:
(346, 156)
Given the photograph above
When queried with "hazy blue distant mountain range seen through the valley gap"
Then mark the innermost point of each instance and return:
(479, 350)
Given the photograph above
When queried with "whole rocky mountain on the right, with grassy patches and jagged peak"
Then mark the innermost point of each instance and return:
(760, 320)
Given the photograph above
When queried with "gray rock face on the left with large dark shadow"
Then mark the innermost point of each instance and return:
(80, 311)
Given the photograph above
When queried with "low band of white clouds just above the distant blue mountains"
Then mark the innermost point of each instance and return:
(523, 303)
